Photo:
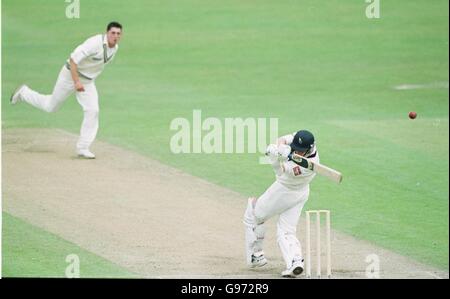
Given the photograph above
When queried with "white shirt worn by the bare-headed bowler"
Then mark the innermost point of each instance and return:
(92, 56)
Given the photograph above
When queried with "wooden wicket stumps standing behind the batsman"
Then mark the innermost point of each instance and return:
(318, 245)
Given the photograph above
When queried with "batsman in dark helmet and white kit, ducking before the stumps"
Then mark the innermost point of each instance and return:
(286, 198)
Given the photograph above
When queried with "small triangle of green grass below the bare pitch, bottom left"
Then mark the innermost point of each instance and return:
(32, 252)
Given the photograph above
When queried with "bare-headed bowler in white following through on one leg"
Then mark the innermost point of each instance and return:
(78, 75)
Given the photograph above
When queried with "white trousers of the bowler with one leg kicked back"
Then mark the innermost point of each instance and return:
(64, 87)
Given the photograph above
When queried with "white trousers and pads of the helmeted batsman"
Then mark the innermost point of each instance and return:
(277, 200)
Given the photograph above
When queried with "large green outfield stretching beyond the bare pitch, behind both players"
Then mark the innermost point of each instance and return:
(319, 65)
